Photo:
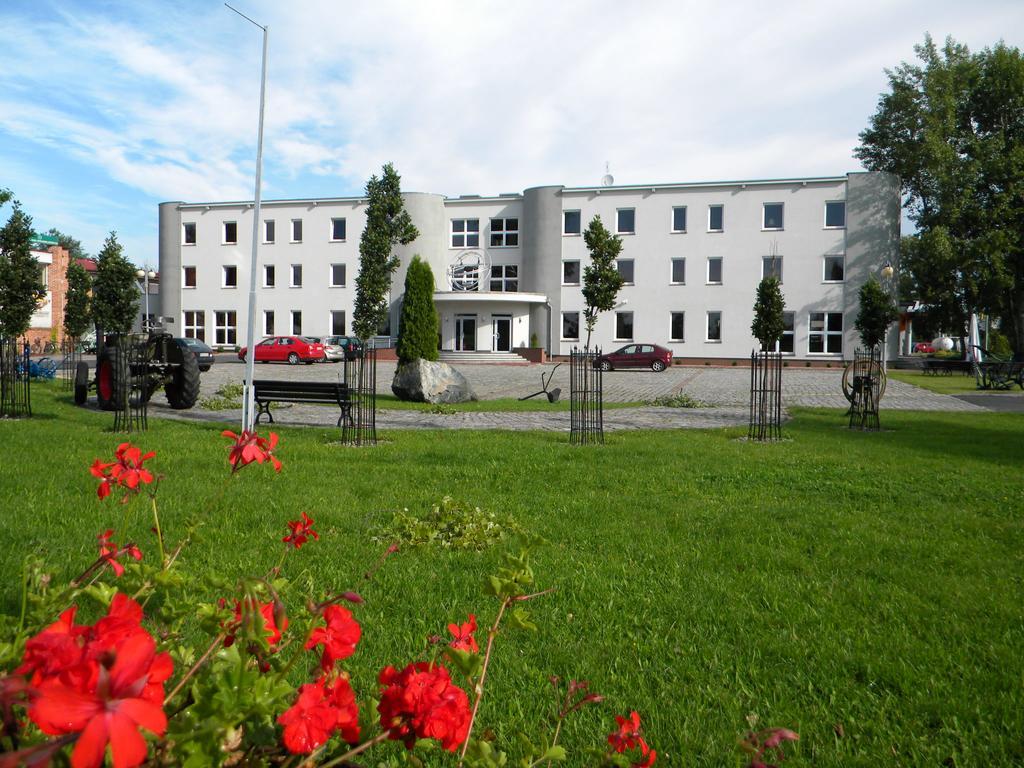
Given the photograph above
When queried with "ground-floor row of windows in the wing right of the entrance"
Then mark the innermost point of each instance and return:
(825, 330)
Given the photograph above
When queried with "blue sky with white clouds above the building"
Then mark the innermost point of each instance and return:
(110, 108)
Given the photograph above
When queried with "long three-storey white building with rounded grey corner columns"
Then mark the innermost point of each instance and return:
(509, 269)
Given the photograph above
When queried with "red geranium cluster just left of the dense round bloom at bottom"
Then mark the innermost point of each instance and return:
(322, 709)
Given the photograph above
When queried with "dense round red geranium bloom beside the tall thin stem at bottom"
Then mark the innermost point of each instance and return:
(421, 702)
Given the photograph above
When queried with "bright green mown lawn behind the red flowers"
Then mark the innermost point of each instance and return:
(865, 589)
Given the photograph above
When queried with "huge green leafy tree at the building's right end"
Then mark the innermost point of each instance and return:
(953, 130)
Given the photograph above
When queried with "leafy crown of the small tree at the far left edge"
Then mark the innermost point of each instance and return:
(21, 287)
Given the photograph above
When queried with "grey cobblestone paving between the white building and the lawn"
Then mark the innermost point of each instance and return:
(726, 391)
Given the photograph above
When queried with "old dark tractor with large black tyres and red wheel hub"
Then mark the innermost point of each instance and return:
(162, 364)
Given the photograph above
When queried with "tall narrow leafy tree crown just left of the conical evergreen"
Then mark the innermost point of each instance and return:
(389, 225)
